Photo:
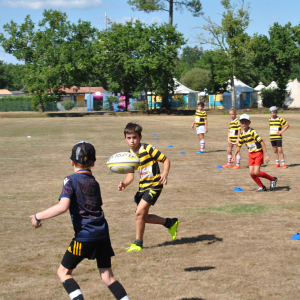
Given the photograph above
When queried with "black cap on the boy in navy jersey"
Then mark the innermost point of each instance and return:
(83, 153)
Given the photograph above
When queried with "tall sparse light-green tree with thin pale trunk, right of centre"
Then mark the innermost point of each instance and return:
(232, 43)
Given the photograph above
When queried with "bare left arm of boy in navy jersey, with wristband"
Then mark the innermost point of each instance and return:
(51, 212)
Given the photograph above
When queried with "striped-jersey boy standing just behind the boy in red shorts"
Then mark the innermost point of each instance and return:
(233, 139)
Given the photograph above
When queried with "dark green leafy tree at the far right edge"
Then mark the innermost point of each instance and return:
(276, 55)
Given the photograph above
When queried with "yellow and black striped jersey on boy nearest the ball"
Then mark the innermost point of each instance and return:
(149, 169)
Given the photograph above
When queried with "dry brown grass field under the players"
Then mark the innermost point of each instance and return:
(230, 245)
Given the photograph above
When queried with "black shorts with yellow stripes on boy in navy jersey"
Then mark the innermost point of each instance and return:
(77, 251)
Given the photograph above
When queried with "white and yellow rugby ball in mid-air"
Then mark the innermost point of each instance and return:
(123, 162)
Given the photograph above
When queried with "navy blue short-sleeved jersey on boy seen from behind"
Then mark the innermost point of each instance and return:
(85, 208)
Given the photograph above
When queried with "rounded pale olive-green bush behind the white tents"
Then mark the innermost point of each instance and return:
(196, 79)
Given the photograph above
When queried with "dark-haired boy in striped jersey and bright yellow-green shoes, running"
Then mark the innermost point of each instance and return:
(151, 184)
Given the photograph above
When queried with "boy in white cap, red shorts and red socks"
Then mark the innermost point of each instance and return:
(257, 150)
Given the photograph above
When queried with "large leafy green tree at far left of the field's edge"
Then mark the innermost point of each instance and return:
(56, 54)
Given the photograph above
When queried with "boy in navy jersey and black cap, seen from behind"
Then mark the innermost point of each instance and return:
(81, 195)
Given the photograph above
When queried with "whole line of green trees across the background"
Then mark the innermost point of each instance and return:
(134, 57)
